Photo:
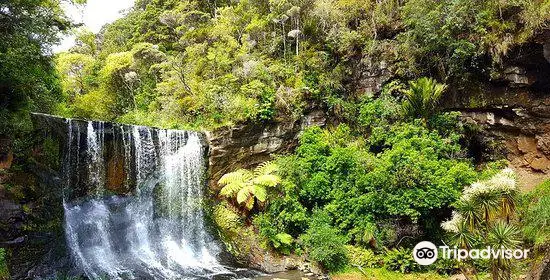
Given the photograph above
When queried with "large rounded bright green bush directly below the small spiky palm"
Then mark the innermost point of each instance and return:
(416, 171)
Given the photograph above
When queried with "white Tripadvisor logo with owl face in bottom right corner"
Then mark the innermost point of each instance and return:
(426, 253)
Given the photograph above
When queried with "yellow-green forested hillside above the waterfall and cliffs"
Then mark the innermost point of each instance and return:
(188, 63)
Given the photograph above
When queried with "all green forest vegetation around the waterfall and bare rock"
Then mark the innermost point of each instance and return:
(394, 168)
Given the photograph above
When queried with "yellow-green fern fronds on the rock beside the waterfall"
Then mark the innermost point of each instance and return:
(248, 186)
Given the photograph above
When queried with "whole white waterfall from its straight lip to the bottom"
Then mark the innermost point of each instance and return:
(157, 231)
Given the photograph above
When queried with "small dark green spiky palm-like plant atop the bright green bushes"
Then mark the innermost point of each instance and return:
(423, 97)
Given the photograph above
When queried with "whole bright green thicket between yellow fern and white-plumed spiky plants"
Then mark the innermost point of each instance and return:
(370, 186)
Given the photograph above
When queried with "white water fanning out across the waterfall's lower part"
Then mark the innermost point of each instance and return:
(113, 238)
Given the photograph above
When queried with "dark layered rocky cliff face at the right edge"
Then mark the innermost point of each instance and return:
(513, 110)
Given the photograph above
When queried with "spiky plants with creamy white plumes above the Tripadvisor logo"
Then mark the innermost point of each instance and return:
(484, 216)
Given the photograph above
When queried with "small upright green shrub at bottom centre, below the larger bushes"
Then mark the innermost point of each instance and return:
(325, 244)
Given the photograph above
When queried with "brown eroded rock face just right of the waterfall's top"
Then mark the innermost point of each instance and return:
(247, 145)
